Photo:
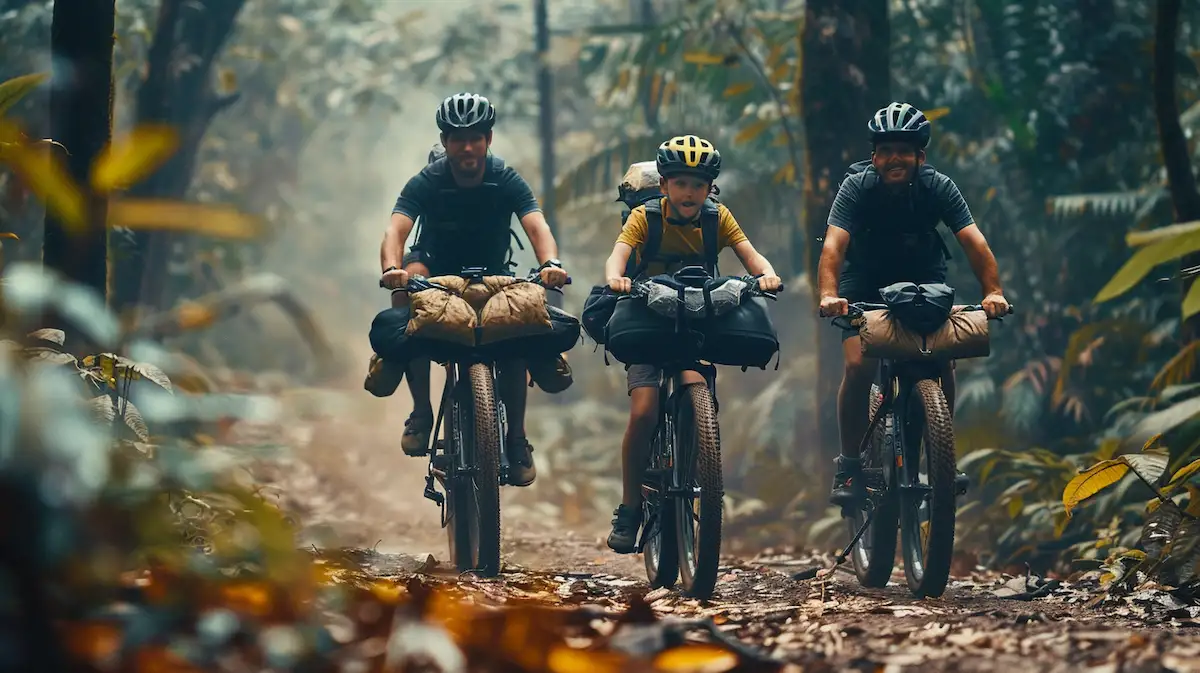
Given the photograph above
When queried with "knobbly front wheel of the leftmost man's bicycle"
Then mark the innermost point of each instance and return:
(476, 526)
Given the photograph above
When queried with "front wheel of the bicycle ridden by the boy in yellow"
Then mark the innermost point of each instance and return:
(699, 468)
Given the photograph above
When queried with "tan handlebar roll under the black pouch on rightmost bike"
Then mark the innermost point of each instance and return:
(963, 335)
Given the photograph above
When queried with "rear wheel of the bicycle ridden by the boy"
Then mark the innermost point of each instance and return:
(661, 554)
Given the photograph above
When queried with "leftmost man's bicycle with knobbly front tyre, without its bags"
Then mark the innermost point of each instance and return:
(470, 462)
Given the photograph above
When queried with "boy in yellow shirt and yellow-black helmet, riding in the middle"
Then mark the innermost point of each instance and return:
(687, 166)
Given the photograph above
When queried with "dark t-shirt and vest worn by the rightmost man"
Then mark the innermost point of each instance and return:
(875, 266)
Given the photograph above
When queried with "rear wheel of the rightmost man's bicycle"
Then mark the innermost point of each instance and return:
(875, 555)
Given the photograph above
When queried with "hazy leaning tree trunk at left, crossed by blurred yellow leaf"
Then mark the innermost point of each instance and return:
(177, 91)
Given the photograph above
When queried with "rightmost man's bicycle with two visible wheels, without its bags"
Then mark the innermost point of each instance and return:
(898, 503)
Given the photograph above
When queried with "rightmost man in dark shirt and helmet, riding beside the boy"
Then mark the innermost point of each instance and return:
(884, 224)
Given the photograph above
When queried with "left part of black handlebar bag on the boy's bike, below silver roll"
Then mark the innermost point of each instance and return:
(637, 335)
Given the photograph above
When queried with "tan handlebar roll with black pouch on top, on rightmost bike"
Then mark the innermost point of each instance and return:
(922, 323)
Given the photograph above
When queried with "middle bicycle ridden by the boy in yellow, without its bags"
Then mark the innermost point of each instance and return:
(683, 491)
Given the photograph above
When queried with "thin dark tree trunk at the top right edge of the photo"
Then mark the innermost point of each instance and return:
(1185, 196)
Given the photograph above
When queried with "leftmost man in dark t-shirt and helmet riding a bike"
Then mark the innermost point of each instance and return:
(466, 202)
